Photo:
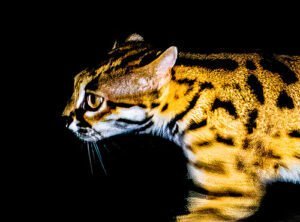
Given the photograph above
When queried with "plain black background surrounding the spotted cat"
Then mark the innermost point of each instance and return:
(146, 176)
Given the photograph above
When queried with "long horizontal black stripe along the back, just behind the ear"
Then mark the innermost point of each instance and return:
(212, 64)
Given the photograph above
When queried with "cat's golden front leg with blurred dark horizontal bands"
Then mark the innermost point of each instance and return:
(226, 189)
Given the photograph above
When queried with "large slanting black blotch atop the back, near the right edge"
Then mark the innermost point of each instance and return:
(270, 63)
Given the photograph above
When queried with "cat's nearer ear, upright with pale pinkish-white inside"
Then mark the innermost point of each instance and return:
(162, 66)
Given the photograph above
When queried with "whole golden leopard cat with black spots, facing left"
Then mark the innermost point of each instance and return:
(235, 115)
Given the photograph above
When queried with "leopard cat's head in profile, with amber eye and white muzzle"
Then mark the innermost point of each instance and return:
(118, 97)
